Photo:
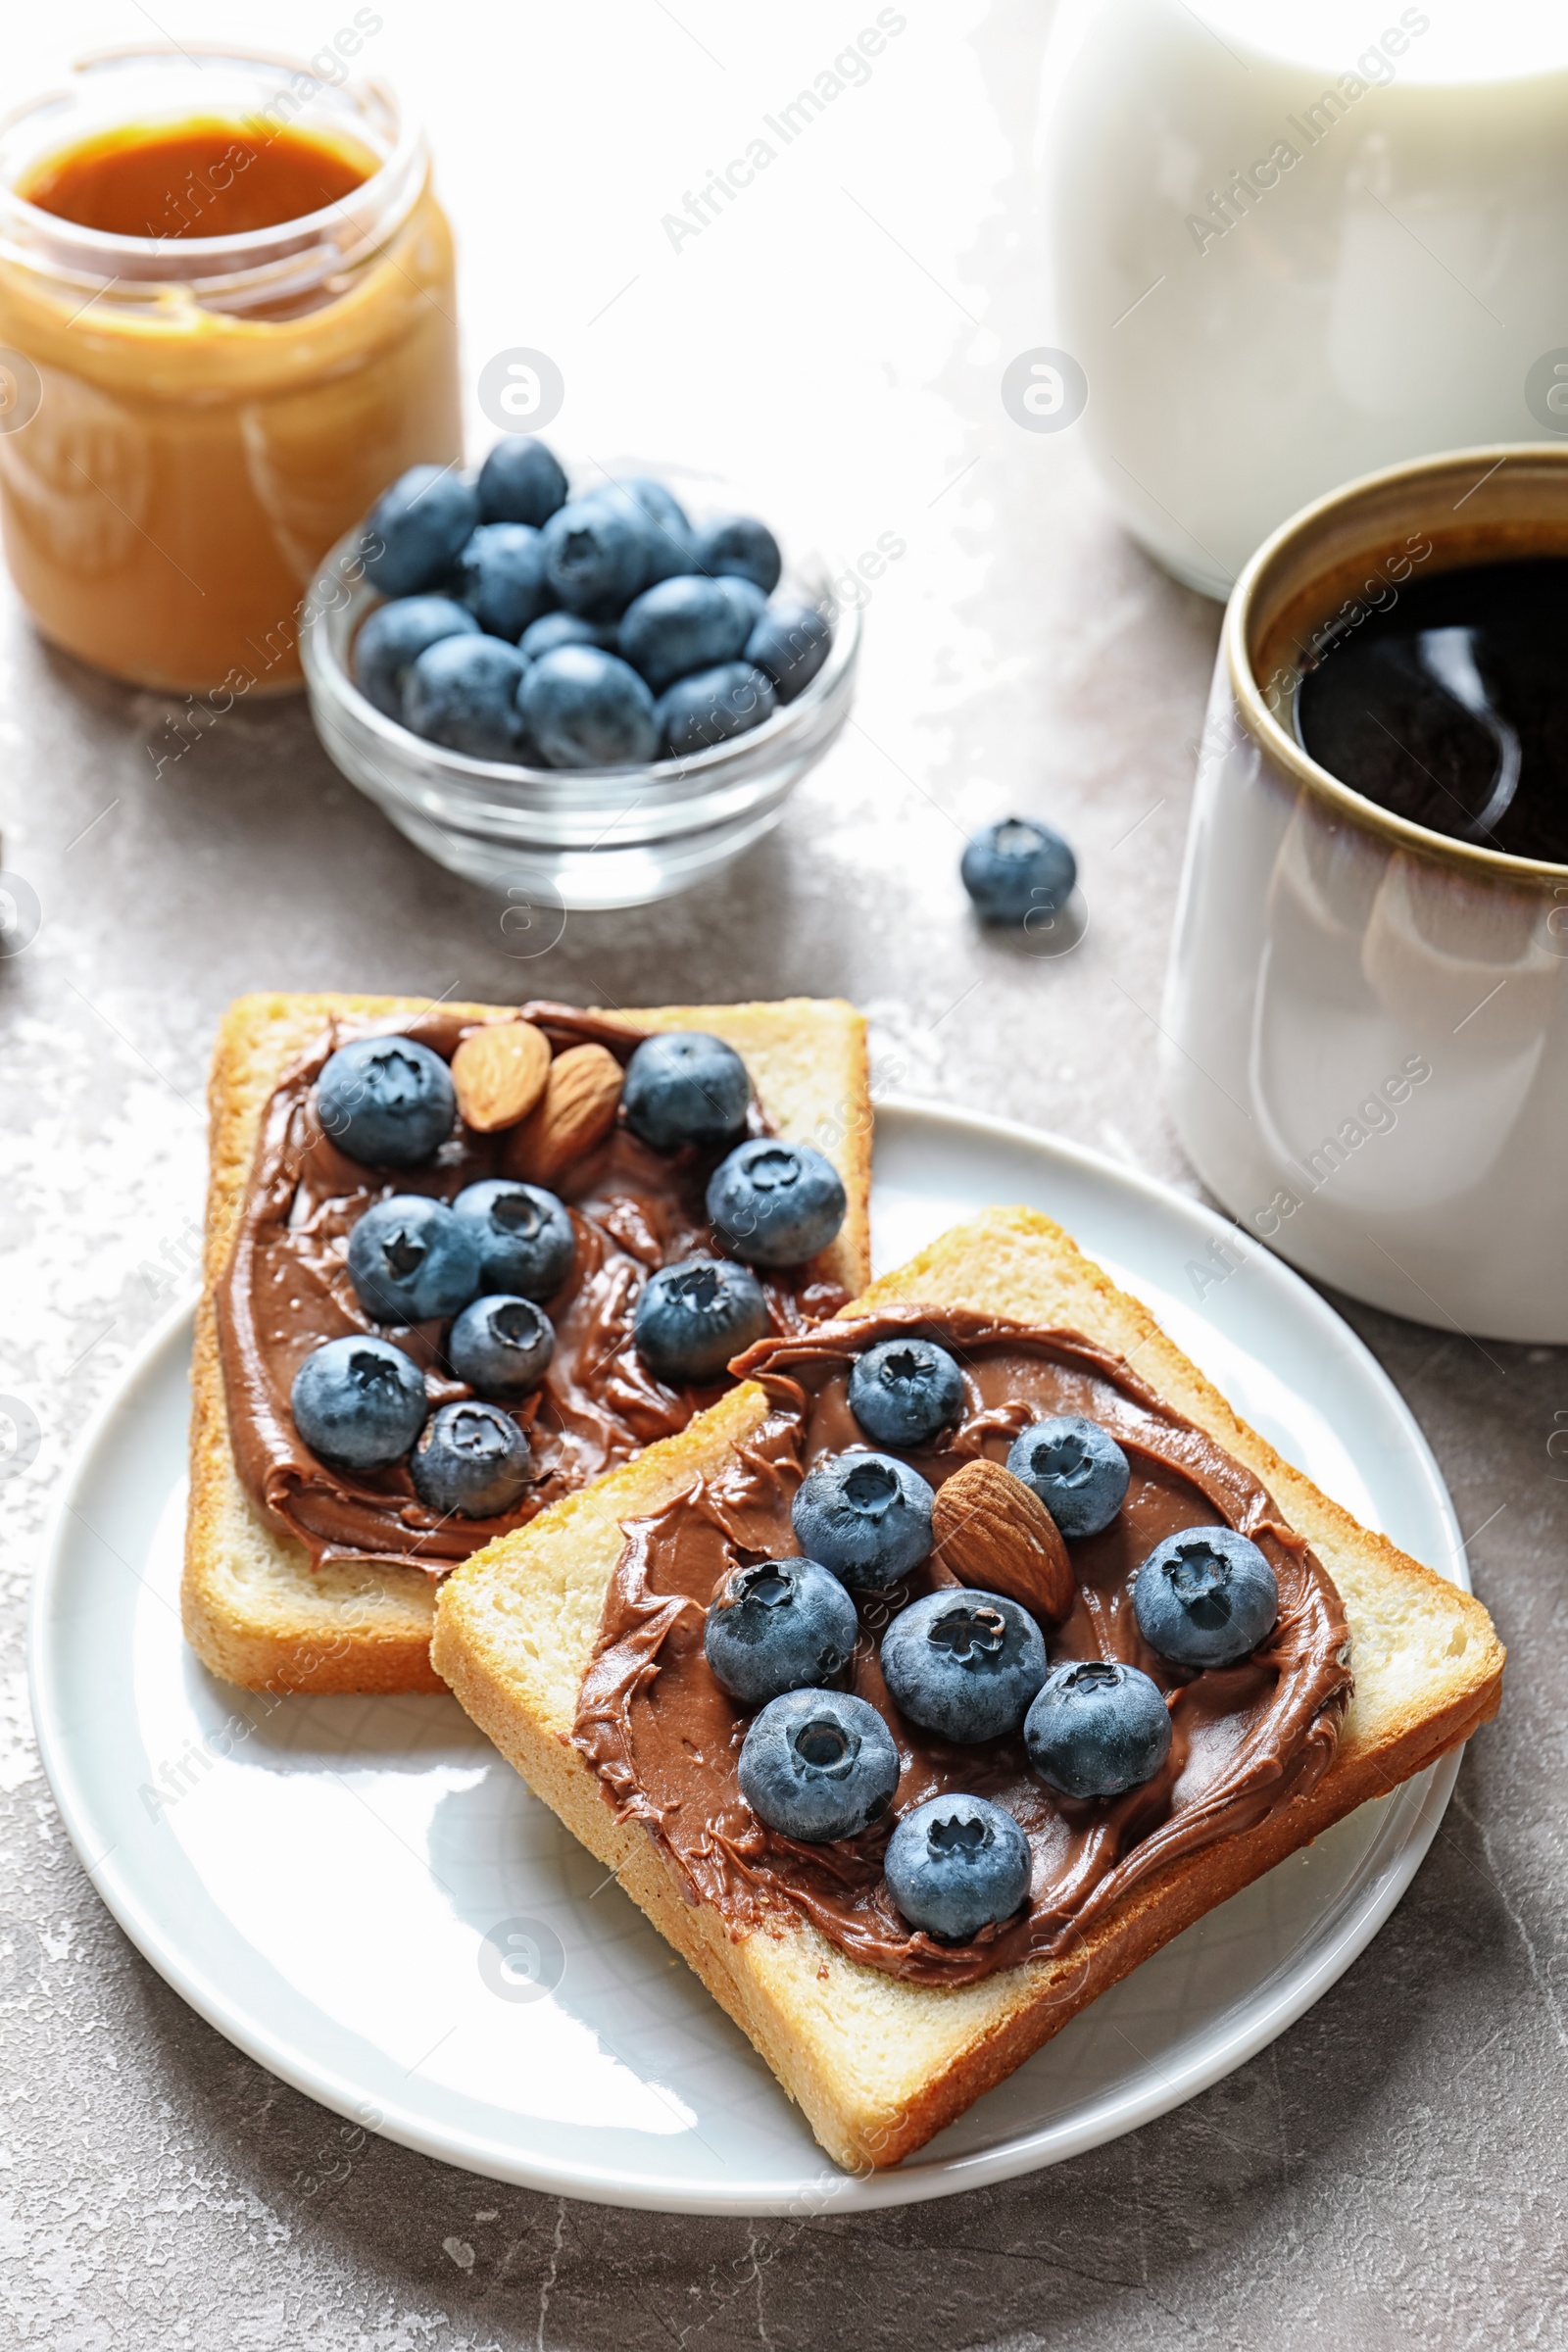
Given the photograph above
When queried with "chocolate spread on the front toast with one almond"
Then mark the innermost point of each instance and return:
(1247, 1739)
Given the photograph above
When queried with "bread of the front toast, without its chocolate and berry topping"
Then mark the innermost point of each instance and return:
(878, 2064)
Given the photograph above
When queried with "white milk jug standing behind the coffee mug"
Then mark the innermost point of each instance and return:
(1301, 239)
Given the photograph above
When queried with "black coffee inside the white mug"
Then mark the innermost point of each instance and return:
(1452, 707)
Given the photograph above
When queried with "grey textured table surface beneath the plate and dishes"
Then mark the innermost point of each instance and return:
(1393, 2167)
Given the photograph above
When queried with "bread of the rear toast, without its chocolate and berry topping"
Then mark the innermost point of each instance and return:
(253, 1605)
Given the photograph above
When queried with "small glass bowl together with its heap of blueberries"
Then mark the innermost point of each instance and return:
(596, 693)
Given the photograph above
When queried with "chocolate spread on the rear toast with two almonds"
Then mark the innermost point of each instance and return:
(288, 1290)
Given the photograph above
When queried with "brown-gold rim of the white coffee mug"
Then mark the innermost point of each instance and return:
(1454, 469)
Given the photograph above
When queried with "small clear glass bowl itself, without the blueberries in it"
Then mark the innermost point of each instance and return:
(584, 838)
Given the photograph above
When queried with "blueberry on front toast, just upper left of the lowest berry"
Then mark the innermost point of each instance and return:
(819, 1765)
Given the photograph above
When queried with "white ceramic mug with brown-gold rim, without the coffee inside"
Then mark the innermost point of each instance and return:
(1367, 1024)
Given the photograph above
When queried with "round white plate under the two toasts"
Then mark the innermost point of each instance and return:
(370, 1902)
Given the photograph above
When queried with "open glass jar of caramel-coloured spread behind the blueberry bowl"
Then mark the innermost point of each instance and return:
(187, 425)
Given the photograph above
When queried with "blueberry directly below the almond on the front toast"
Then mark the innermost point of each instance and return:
(965, 1664)
